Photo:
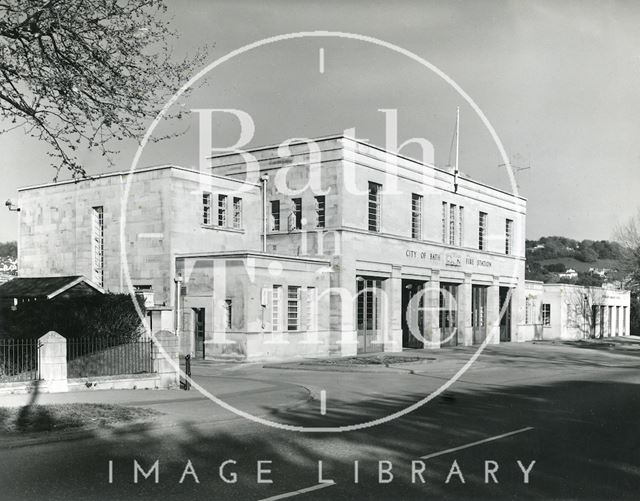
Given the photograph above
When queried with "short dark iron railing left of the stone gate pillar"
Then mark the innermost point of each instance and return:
(18, 360)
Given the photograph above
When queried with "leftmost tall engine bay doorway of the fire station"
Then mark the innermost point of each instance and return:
(369, 294)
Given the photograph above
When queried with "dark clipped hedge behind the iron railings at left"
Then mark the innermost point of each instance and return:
(112, 315)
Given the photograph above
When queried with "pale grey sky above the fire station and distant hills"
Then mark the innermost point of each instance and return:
(558, 80)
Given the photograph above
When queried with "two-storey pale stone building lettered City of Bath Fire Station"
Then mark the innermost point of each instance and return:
(338, 249)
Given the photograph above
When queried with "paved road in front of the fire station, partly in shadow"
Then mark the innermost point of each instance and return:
(573, 411)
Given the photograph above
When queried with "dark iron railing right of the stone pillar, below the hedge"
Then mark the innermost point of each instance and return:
(108, 356)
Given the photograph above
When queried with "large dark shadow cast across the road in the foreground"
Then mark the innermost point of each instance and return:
(584, 443)
